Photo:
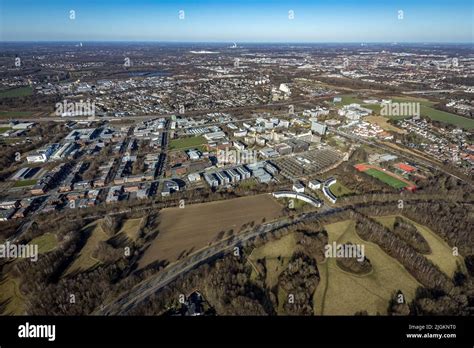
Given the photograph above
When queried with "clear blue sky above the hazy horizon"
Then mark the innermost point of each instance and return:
(240, 21)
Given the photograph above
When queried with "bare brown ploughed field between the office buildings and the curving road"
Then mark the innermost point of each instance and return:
(183, 231)
